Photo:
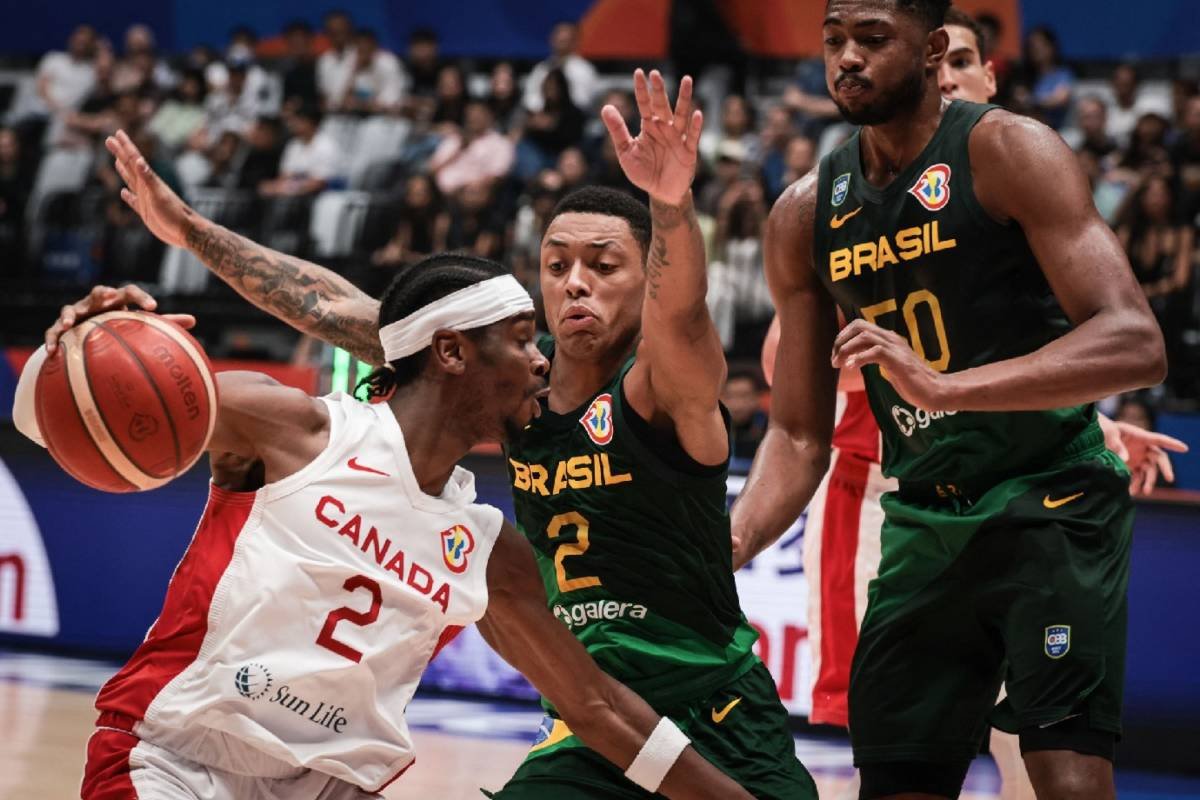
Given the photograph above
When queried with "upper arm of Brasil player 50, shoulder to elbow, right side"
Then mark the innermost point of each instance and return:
(1081, 256)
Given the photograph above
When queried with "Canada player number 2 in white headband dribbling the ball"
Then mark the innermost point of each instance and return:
(340, 549)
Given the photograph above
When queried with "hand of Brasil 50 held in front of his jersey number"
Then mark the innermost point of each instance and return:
(862, 344)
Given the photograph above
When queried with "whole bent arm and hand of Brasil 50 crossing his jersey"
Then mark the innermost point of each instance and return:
(1115, 345)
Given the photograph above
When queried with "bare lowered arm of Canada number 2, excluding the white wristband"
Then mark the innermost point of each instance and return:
(601, 711)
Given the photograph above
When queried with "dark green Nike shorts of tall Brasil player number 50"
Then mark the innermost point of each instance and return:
(1023, 585)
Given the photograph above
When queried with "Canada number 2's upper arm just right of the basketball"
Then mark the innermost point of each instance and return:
(255, 410)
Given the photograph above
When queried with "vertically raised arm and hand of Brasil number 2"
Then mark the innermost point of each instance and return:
(681, 365)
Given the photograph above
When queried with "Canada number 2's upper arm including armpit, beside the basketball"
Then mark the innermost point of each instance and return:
(260, 418)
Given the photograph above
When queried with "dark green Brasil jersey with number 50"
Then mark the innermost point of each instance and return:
(925, 260)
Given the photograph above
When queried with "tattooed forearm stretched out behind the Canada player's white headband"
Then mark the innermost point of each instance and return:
(305, 296)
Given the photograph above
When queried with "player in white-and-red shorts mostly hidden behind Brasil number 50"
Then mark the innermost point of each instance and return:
(842, 534)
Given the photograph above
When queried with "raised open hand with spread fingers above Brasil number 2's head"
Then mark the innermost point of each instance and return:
(662, 159)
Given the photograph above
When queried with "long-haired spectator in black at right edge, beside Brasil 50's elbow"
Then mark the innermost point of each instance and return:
(1161, 250)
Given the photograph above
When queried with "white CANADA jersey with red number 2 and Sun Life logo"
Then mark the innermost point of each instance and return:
(303, 616)
